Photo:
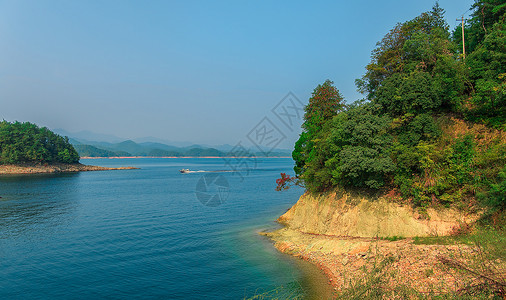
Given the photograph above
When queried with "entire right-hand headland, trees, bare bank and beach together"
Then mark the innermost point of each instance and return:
(406, 189)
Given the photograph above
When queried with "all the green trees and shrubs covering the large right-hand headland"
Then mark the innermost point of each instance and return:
(432, 127)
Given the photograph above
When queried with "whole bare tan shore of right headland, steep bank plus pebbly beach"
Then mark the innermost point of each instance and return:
(339, 243)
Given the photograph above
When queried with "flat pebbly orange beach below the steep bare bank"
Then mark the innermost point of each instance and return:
(349, 260)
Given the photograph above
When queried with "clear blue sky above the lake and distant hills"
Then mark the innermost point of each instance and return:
(201, 71)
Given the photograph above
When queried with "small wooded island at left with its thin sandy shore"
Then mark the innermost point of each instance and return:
(26, 148)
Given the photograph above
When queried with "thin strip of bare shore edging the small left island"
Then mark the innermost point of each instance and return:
(53, 168)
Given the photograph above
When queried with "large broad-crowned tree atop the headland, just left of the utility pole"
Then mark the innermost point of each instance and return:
(415, 68)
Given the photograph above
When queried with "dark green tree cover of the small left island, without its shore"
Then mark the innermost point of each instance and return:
(27, 143)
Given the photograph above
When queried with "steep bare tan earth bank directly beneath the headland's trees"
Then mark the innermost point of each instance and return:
(360, 217)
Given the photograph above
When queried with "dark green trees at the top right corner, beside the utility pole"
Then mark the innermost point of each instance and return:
(485, 36)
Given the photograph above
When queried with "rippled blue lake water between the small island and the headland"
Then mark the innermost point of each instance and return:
(148, 233)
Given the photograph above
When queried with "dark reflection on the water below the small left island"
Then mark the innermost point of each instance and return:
(36, 202)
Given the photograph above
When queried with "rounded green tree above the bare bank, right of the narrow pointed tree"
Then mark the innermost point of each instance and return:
(360, 143)
